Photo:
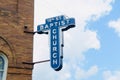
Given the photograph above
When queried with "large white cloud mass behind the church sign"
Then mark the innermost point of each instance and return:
(77, 40)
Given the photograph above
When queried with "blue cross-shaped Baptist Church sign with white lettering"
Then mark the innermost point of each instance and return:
(54, 26)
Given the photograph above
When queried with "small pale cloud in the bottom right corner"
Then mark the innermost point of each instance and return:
(109, 75)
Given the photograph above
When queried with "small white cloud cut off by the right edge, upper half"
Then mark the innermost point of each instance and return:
(115, 24)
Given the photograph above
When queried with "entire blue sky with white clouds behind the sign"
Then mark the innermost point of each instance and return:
(91, 49)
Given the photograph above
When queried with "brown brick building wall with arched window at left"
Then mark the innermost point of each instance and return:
(16, 46)
